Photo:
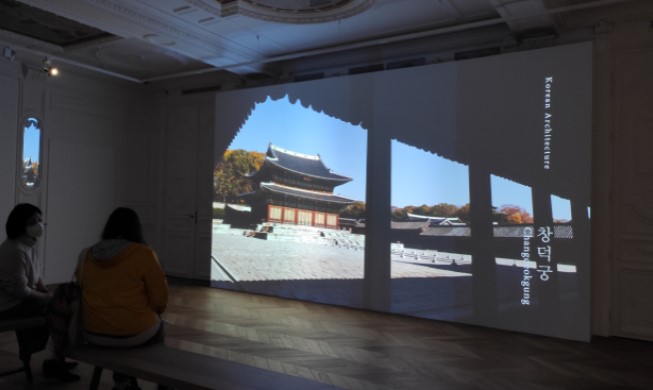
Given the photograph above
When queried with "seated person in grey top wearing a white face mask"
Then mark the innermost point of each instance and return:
(22, 291)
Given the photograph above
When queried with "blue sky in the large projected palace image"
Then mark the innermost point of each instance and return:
(342, 147)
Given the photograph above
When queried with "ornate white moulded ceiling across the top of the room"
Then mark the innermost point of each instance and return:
(160, 40)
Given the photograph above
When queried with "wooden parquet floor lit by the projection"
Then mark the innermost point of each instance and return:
(354, 349)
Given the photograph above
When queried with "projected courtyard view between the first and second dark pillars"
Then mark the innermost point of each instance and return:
(430, 211)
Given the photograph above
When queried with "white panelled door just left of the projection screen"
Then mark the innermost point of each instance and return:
(187, 216)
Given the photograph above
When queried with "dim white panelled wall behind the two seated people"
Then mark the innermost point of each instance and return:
(99, 152)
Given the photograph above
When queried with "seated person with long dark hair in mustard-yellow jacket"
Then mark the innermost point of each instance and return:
(124, 289)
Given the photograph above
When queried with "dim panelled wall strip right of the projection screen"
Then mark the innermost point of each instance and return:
(622, 216)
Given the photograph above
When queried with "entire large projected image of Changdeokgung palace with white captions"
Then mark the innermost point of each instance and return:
(478, 191)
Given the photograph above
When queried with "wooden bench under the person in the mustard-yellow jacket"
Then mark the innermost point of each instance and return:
(183, 370)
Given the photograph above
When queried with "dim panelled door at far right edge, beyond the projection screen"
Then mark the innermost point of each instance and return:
(632, 268)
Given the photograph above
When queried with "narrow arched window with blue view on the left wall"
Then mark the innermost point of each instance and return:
(30, 163)
